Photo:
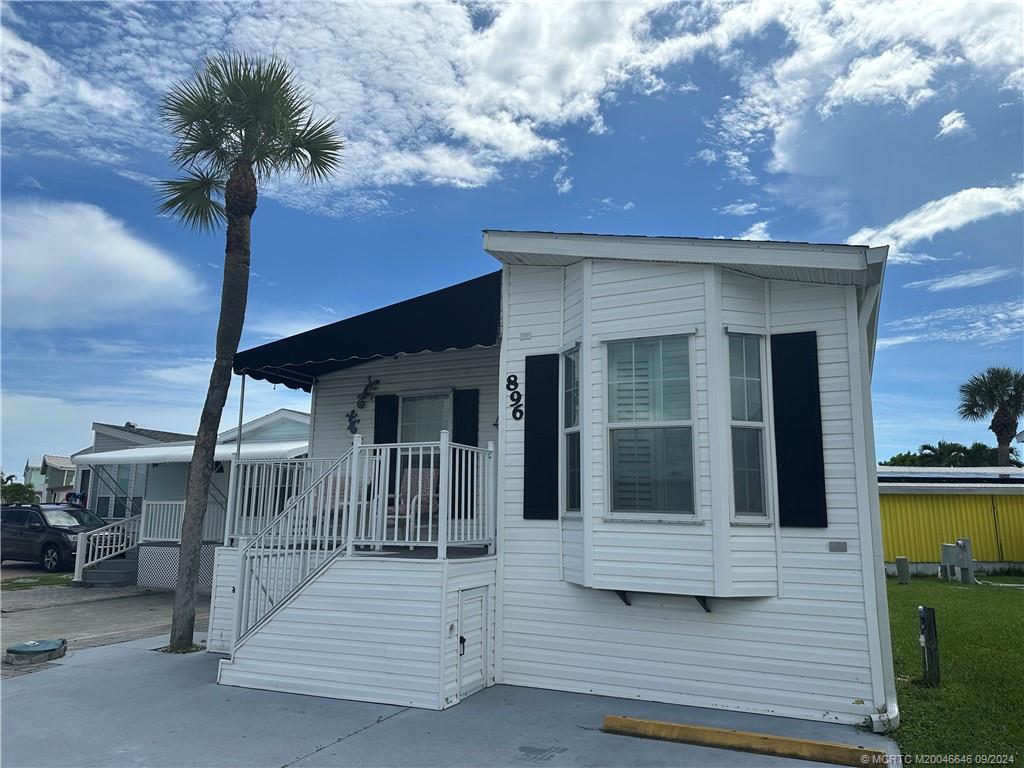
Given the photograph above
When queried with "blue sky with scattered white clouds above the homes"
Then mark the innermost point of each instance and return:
(894, 123)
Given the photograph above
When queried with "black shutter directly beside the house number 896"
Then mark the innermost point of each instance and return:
(541, 439)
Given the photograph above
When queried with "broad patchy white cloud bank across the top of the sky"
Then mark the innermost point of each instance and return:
(426, 94)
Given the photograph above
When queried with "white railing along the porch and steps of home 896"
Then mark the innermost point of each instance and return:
(399, 495)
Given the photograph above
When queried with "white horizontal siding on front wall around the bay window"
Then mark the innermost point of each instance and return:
(803, 655)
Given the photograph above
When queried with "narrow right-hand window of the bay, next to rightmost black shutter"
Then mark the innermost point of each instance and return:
(748, 428)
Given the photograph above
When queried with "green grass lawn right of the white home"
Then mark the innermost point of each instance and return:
(978, 708)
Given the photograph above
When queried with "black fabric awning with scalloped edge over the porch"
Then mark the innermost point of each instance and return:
(461, 317)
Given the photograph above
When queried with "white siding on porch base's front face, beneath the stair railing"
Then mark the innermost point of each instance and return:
(366, 629)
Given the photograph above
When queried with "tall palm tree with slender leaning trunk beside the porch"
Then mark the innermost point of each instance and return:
(238, 122)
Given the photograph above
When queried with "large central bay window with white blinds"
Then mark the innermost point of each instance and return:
(651, 430)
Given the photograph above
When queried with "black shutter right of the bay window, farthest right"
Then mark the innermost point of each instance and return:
(799, 452)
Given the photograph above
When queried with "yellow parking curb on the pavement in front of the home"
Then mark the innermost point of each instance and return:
(764, 744)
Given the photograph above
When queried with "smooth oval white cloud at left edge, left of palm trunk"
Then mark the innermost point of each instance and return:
(74, 266)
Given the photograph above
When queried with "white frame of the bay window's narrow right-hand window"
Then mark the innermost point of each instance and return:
(767, 435)
